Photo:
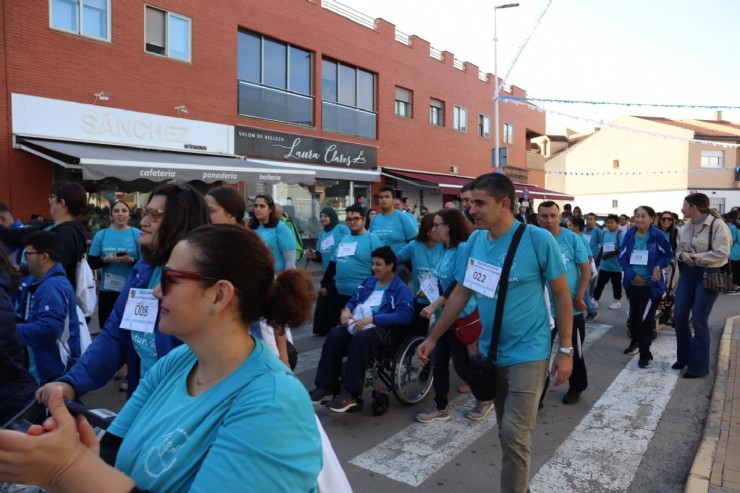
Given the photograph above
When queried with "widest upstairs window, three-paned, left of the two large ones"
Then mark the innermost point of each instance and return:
(274, 80)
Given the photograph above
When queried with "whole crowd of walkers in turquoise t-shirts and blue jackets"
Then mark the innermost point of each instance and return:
(199, 299)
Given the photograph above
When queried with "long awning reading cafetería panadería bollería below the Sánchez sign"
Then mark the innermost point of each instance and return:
(100, 161)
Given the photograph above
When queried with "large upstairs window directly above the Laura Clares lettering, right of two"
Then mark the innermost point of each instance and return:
(348, 100)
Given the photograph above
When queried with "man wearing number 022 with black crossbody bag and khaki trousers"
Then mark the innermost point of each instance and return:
(505, 256)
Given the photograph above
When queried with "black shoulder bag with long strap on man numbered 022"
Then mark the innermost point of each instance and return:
(482, 379)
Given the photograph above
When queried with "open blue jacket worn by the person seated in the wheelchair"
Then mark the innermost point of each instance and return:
(397, 306)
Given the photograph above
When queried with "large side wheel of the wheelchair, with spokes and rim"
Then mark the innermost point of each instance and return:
(410, 383)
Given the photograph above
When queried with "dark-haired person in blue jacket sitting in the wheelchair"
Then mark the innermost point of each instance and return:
(380, 302)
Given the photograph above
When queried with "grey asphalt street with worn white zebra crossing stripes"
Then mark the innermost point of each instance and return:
(634, 430)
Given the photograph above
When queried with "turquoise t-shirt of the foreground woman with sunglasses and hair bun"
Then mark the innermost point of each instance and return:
(255, 430)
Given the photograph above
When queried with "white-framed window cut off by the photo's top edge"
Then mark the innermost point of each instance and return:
(90, 18)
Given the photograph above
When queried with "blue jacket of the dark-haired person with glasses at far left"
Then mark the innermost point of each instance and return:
(47, 309)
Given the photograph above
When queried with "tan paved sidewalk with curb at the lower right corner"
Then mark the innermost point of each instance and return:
(716, 467)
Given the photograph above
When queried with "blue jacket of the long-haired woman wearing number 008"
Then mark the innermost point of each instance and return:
(113, 346)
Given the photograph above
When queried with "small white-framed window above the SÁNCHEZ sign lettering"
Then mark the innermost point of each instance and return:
(167, 34)
